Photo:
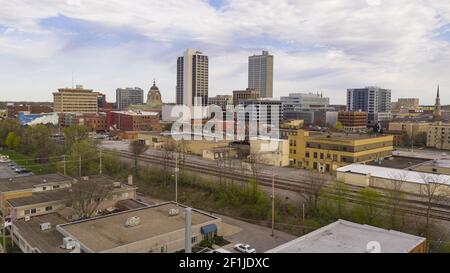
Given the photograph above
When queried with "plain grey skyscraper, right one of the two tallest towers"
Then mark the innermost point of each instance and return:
(260, 74)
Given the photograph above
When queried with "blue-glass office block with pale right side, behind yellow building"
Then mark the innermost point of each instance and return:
(373, 100)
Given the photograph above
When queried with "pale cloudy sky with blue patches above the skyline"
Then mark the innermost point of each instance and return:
(327, 45)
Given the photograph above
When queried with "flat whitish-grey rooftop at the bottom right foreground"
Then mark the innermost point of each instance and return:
(347, 237)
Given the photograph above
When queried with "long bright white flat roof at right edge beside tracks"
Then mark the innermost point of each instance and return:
(396, 174)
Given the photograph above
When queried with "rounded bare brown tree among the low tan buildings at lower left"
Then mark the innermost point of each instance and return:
(86, 196)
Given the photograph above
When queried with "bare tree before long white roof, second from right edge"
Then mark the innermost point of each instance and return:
(396, 196)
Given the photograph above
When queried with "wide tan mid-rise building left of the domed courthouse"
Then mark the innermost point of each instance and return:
(75, 100)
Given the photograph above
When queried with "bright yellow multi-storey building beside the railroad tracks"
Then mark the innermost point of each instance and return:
(328, 151)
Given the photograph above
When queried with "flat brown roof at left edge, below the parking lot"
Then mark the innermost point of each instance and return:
(28, 182)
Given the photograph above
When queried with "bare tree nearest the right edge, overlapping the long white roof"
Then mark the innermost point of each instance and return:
(431, 192)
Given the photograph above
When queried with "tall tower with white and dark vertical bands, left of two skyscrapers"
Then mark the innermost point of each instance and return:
(192, 78)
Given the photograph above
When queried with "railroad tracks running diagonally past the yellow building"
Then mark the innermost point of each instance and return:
(409, 205)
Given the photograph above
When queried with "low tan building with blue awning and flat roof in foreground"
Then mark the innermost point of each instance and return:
(158, 230)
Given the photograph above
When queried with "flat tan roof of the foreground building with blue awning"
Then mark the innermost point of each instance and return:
(108, 232)
